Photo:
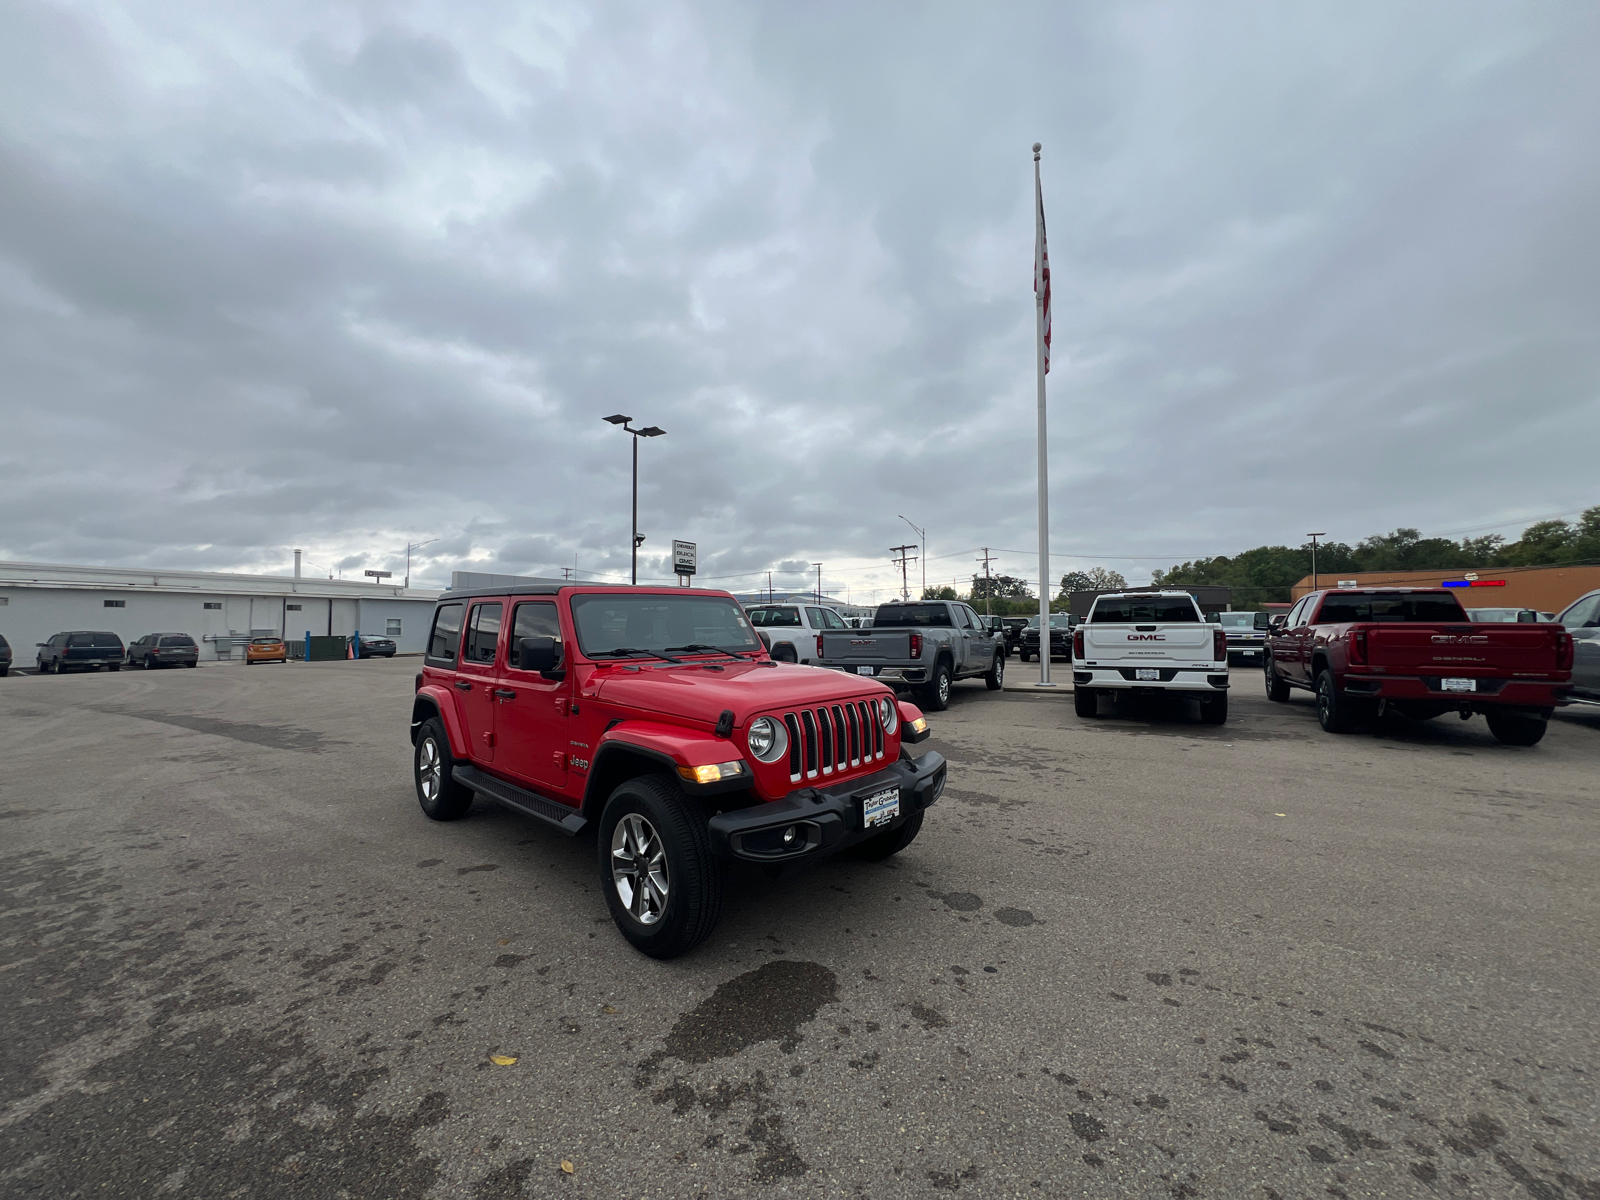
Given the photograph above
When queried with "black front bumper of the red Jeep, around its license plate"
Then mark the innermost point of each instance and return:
(817, 823)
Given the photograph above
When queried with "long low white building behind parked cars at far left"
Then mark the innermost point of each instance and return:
(215, 609)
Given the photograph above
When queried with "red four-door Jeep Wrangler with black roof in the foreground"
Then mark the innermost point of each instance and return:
(658, 714)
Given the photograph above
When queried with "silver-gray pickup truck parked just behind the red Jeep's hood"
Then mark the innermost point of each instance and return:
(924, 646)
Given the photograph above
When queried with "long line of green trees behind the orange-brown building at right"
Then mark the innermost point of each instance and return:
(1268, 572)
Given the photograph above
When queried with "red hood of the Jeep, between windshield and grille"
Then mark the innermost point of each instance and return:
(694, 694)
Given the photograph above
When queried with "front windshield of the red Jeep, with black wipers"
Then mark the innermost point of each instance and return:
(622, 626)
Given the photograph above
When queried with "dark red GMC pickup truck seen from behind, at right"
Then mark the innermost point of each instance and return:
(1414, 650)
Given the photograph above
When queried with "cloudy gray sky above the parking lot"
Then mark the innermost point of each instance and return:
(351, 276)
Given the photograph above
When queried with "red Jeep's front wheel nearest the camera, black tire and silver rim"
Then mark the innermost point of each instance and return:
(679, 841)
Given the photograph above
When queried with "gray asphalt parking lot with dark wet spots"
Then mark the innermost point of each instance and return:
(1130, 958)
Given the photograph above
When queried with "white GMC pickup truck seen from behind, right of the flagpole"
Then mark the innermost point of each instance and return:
(1150, 642)
